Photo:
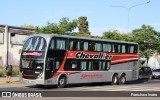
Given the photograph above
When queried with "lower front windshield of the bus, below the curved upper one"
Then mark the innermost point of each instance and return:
(32, 63)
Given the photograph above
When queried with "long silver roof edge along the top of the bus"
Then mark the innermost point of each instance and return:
(84, 38)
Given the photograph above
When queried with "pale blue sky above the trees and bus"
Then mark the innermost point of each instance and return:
(100, 15)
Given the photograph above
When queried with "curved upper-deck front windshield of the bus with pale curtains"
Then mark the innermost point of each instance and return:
(35, 44)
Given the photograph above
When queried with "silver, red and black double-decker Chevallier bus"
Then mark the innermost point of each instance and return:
(50, 59)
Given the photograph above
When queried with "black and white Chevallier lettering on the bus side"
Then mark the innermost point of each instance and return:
(101, 55)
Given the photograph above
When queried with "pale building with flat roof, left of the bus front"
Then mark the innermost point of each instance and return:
(11, 42)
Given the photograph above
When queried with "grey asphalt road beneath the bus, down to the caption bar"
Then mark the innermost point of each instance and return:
(139, 85)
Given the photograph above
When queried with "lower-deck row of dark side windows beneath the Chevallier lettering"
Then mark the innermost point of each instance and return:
(86, 65)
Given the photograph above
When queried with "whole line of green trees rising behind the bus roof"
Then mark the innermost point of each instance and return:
(147, 38)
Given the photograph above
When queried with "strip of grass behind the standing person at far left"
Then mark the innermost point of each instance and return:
(15, 71)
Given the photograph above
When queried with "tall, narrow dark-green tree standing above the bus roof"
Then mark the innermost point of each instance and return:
(83, 25)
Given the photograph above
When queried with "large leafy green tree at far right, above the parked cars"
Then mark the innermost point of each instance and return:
(148, 40)
